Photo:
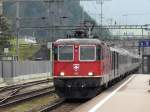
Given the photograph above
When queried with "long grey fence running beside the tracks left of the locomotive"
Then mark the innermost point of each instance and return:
(9, 69)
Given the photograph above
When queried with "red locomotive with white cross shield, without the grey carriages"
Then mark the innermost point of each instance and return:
(81, 67)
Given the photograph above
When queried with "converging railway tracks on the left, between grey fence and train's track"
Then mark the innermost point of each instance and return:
(16, 96)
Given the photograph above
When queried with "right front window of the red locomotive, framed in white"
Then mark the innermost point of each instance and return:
(87, 53)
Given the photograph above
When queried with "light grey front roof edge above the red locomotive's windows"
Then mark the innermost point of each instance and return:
(78, 41)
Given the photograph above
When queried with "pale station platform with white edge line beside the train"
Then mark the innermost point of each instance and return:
(130, 95)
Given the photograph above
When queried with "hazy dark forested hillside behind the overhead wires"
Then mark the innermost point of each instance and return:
(46, 15)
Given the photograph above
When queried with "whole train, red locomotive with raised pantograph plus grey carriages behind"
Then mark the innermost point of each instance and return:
(81, 67)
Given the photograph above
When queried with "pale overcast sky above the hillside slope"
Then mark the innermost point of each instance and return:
(121, 11)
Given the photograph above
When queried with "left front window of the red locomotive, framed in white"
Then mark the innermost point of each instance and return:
(65, 53)
